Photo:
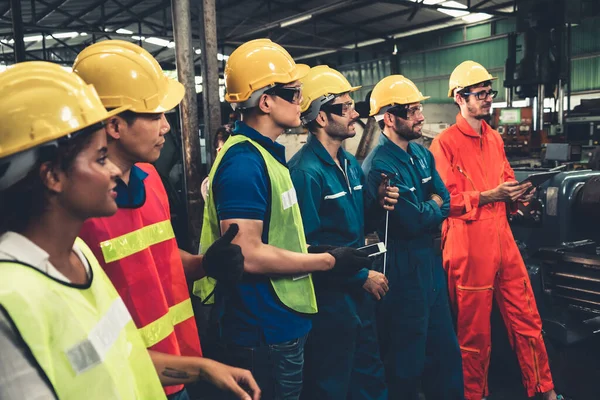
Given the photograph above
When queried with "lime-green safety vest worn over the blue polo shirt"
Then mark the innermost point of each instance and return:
(285, 231)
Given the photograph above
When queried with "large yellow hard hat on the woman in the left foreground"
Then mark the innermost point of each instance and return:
(41, 102)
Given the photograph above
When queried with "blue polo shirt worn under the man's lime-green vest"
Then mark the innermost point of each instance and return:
(241, 188)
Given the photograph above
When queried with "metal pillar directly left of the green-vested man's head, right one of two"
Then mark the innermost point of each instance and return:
(210, 75)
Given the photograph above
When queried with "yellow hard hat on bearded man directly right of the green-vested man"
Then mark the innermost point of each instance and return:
(320, 86)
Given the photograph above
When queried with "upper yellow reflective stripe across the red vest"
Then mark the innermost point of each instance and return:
(133, 242)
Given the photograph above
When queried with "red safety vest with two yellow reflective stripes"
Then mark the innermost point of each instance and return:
(142, 259)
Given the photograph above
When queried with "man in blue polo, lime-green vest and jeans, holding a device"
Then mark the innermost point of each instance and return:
(264, 322)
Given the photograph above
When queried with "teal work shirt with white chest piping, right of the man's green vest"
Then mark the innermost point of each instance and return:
(331, 201)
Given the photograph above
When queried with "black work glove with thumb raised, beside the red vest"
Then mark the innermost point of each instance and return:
(223, 260)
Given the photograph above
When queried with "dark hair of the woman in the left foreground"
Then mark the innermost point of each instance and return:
(26, 200)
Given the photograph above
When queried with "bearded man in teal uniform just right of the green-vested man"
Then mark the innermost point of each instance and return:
(329, 183)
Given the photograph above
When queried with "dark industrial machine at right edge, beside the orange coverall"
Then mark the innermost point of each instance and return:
(559, 239)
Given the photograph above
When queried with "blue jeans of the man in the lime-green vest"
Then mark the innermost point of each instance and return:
(277, 368)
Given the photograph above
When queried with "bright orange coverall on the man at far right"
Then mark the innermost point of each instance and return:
(482, 260)
